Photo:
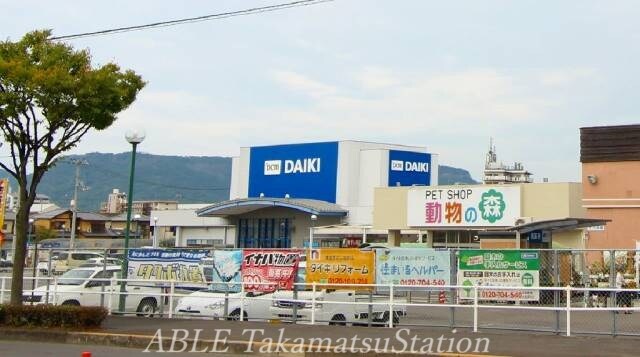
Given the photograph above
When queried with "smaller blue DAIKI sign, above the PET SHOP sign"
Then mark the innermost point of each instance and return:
(407, 168)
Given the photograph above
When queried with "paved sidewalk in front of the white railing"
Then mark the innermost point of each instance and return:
(249, 337)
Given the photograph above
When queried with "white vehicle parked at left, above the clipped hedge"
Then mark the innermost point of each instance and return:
(84, 286)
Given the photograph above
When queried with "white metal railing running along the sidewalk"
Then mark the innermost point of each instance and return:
(572, 313)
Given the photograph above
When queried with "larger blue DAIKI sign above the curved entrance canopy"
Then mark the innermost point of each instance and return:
(299, 170)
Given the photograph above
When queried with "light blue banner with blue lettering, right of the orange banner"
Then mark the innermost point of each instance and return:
(412, 266)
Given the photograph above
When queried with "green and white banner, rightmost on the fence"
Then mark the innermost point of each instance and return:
(516, 268)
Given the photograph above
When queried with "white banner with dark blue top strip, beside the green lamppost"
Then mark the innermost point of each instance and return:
(182, 266)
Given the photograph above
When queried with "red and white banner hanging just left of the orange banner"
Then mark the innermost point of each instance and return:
(269, 270)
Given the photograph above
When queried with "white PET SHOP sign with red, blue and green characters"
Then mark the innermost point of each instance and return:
(463, 206)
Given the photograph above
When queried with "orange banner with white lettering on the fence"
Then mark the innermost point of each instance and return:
(340, 266)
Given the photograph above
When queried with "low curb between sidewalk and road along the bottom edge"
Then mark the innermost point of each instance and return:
(230, 347)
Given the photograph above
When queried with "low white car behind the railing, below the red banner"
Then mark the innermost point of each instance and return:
(211, 304)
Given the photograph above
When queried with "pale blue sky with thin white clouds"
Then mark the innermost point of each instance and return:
(447, 75)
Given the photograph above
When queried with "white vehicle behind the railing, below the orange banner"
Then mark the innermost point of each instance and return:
(341, 310)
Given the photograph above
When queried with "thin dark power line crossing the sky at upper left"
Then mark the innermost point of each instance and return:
(218, 16)
